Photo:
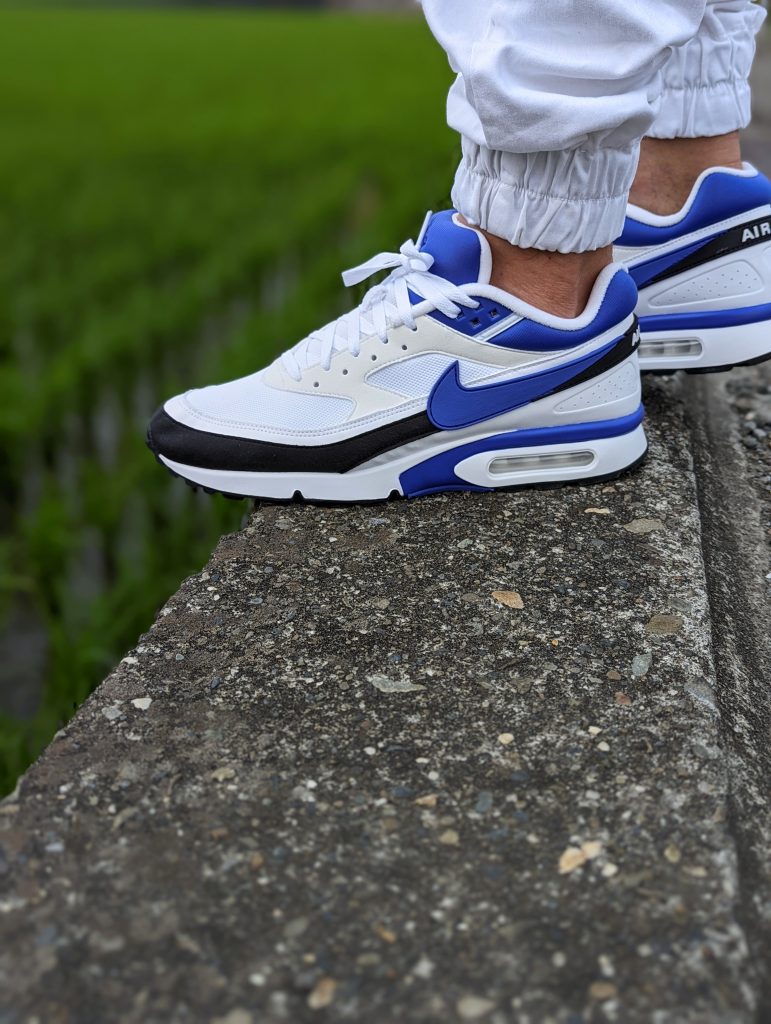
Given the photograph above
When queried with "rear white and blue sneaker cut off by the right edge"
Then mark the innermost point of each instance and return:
(705, 275)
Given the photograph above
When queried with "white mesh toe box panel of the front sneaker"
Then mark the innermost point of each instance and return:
(250, 402)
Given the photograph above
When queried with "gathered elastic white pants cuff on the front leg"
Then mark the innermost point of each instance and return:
(567, 201)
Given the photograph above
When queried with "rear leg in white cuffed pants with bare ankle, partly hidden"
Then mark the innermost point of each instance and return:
(706, 102)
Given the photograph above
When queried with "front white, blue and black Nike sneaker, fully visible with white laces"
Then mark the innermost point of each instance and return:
(438, 381)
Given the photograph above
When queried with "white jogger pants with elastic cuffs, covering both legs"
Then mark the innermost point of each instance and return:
(553, 97)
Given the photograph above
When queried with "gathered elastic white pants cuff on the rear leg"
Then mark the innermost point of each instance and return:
(702, 111)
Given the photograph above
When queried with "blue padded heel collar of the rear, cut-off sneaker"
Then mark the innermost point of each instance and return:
(720, 197)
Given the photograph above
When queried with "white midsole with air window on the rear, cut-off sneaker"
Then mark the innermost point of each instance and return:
(705, 348)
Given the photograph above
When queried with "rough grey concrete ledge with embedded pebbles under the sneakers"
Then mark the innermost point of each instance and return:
(348, 778)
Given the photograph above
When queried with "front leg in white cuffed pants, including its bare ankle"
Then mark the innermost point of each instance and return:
(551, 102)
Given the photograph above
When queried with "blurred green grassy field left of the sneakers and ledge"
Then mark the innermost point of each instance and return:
(179, 193)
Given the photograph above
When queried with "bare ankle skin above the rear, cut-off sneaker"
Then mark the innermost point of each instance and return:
(669, 167)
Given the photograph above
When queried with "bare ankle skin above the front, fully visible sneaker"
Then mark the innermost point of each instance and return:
(558, 283)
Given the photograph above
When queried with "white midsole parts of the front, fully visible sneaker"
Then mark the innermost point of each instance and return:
(504, 467)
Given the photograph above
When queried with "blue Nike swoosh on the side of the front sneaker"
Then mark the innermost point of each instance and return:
(451, 406)
